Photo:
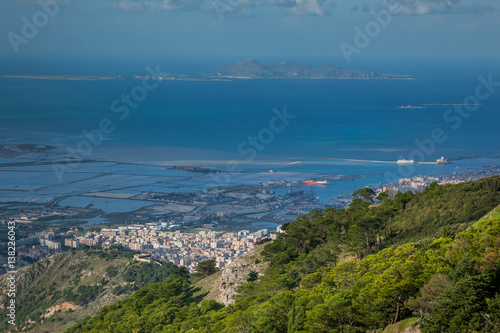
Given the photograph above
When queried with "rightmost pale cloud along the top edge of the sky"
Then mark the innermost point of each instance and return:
(429, 7)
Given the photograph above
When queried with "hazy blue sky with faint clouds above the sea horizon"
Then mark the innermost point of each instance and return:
(342, 30)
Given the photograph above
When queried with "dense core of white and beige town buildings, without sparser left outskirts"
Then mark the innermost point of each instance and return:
(182, 249)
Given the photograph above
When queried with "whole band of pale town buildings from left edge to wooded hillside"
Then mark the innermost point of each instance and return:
(153, 239)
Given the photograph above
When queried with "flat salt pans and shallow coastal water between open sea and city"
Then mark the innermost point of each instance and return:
(132, 181)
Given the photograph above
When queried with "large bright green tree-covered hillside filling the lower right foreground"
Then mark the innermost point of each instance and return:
(357, 270)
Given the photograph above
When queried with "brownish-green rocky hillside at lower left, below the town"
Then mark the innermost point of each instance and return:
(56, 292)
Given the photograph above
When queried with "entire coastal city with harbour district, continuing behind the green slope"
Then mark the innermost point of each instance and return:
(217, 226)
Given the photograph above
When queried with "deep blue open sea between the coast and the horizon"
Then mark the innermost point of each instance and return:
(212, 124)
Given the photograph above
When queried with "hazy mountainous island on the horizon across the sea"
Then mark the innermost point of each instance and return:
(252, 69)
